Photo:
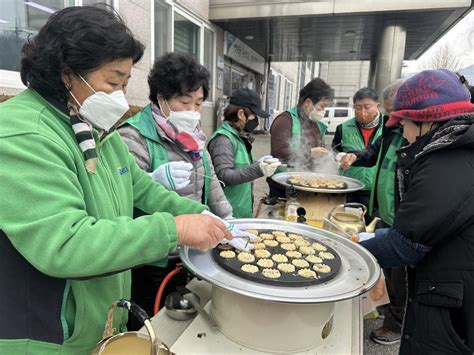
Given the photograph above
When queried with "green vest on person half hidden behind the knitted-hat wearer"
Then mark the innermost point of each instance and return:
(385, 180)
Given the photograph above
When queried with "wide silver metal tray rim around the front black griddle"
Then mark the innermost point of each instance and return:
(358, 273)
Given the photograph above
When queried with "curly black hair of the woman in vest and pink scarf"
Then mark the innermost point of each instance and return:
(176, 74)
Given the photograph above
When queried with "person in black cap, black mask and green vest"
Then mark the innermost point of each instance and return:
(230, 148)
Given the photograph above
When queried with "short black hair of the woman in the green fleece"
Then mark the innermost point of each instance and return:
(79, 39)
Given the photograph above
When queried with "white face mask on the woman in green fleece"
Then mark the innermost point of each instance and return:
(102, 110)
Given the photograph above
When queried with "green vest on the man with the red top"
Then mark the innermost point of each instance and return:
(352, 140)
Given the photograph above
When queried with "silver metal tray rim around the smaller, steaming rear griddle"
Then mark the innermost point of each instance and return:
(352, 184)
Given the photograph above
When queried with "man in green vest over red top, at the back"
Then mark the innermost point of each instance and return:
(357, 134)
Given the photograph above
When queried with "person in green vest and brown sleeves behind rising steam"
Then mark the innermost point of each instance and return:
(297, 135)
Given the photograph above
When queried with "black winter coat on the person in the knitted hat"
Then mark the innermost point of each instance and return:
(436, 183)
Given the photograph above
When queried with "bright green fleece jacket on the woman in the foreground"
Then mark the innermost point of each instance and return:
(74, 226)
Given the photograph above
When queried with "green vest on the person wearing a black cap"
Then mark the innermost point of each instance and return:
(240, 196)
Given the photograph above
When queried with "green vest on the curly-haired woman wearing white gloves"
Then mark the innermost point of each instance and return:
(158, 155)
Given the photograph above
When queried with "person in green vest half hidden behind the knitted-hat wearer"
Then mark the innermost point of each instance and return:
(383, 202)
